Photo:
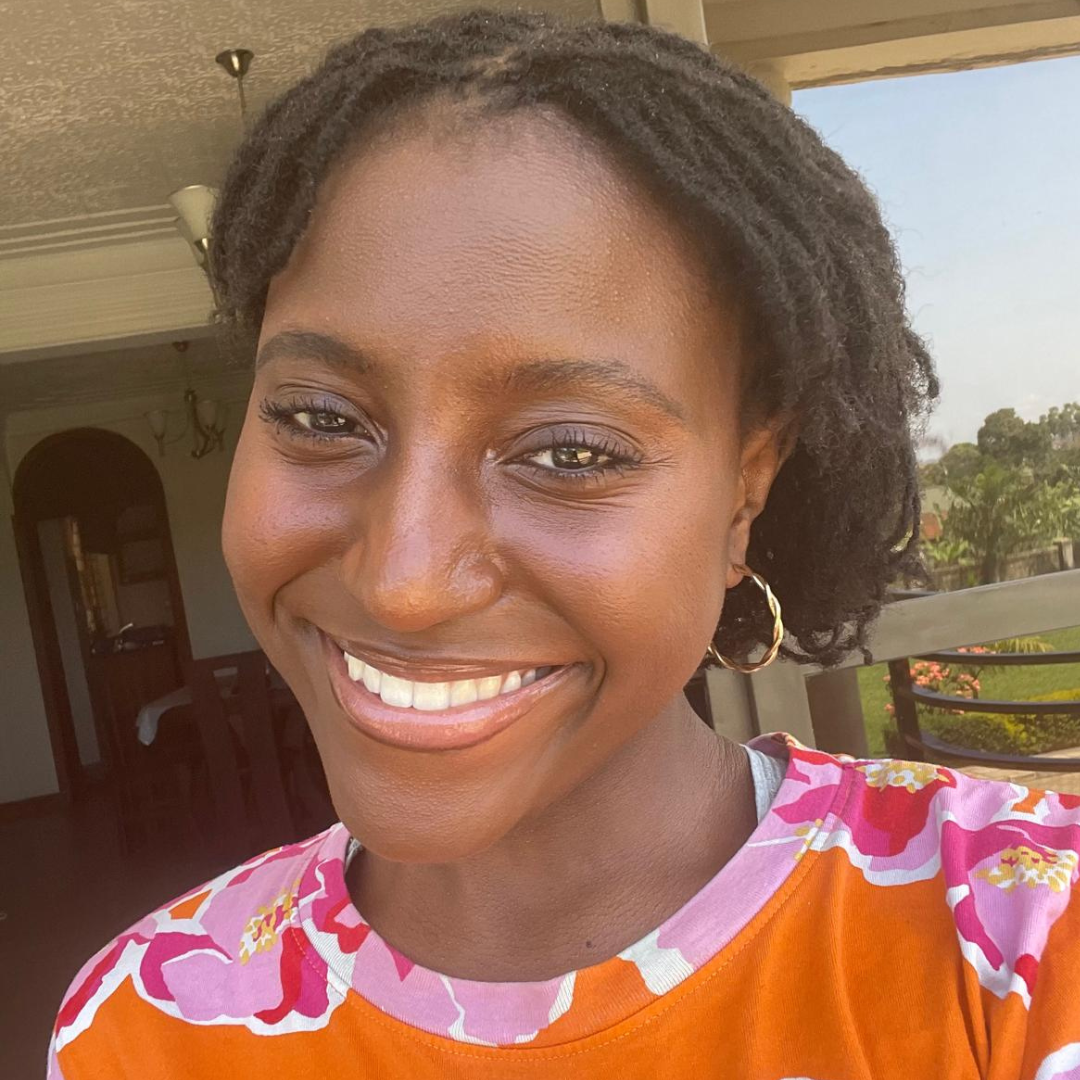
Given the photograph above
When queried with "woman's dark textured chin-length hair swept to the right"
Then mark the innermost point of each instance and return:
(773, 209)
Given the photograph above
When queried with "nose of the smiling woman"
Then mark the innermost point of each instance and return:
(422, 556)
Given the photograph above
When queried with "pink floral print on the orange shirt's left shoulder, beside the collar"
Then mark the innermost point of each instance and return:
(221, 953)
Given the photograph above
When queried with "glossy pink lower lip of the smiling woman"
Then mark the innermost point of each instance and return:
(449, 730)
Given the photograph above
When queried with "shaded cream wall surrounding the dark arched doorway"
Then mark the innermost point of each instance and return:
(195, 497)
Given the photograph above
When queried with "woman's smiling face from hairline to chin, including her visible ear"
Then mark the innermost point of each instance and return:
(495, 429)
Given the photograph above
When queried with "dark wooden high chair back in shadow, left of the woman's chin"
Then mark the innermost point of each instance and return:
(236, 723)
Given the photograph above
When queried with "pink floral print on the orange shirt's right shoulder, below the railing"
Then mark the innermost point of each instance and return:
(1006, 858)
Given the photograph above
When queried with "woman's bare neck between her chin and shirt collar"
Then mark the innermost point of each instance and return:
(583, 880)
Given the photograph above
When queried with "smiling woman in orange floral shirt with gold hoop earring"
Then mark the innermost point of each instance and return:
(572, 342)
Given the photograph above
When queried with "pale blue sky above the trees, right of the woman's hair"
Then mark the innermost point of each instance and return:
(979, 178)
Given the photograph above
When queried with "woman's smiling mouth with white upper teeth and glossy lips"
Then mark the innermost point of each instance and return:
(436, 714)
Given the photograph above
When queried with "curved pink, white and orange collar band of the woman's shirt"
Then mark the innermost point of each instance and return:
(580, 1003)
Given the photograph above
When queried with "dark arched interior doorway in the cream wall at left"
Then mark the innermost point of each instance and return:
(103, 595)
